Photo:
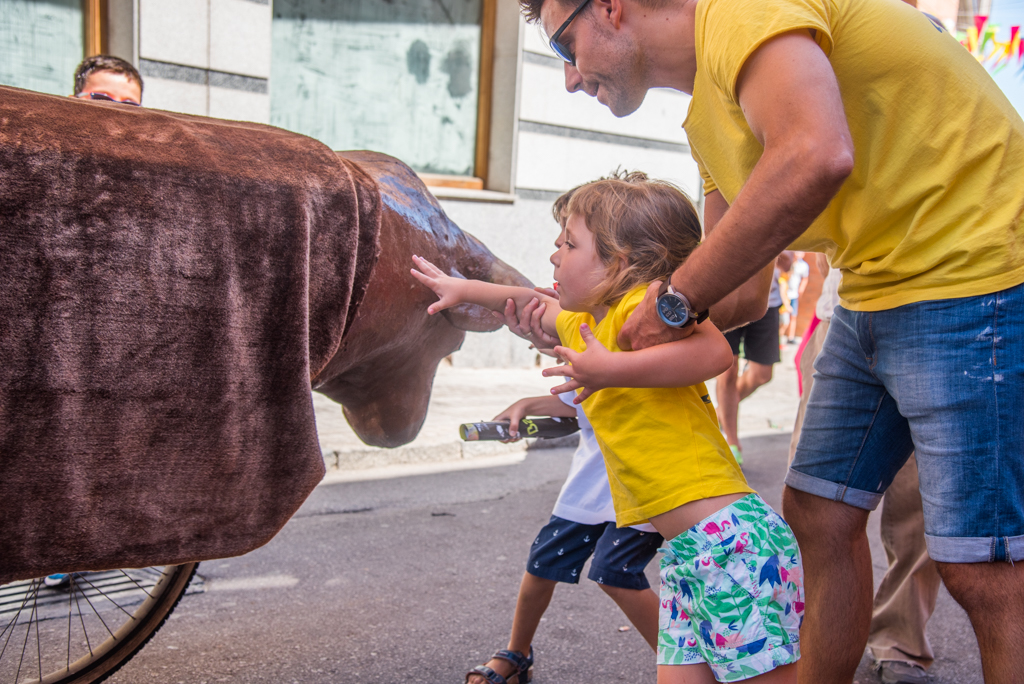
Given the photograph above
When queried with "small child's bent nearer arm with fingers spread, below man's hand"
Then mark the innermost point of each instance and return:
(701, 357)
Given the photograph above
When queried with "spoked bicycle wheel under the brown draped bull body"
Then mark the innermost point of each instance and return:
(86, 631)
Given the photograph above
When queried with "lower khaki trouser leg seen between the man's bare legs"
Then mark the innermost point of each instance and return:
(907, 596)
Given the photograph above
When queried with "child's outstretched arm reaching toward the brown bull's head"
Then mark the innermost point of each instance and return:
(452, 291)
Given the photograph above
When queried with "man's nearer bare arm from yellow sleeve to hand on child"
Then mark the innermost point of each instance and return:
(792, 103)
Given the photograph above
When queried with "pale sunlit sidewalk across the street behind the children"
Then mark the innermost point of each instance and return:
(465, 396)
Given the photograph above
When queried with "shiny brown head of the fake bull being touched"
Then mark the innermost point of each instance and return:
(383, 372)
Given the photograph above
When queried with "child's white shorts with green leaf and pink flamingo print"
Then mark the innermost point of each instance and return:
(733, 593)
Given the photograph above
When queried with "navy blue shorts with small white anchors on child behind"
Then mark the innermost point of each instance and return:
(620, 554)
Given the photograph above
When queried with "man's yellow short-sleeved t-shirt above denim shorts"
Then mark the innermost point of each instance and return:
(933, 207)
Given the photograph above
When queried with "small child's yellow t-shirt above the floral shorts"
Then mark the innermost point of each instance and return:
(662, 447)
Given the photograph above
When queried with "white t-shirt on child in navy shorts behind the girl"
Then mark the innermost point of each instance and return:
(586, 497)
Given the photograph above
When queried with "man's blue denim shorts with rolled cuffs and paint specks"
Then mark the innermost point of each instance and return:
(946, 379)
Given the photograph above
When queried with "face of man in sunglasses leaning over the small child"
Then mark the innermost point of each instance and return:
(610, 64)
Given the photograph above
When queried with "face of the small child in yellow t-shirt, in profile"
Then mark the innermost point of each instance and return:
(579, 272)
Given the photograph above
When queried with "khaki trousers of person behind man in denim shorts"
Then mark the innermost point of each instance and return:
(907, 596)
